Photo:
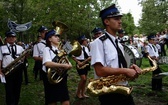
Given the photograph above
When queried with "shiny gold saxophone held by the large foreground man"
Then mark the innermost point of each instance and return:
(105, 85)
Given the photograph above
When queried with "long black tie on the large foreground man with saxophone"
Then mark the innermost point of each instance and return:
(121, 58)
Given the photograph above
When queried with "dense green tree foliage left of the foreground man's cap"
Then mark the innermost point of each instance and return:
(80, 16)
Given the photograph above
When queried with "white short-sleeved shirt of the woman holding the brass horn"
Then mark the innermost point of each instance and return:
(48, 55)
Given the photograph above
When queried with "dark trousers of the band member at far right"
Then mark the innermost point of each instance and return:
(156, 82)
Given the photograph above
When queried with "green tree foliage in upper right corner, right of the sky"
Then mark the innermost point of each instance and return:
(154, 16)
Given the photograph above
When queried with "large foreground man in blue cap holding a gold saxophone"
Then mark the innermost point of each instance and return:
(107, 57)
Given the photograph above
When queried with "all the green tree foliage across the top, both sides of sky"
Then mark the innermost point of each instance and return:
(80, 16)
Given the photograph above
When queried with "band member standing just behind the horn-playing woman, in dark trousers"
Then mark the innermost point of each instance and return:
(38, 52)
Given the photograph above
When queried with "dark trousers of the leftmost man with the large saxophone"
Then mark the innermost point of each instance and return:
(13, 87)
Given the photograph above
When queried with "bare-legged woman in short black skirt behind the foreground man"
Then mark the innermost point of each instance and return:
(82, 60)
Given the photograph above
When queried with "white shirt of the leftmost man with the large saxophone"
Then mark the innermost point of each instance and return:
(7, 57)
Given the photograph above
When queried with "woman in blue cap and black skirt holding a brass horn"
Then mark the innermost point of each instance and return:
(54, 92)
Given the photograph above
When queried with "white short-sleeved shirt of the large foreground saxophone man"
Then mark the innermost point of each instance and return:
(104, 52)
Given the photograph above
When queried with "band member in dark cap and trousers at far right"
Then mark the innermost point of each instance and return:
(152, 51)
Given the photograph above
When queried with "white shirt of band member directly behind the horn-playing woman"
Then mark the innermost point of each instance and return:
(38, 49)
